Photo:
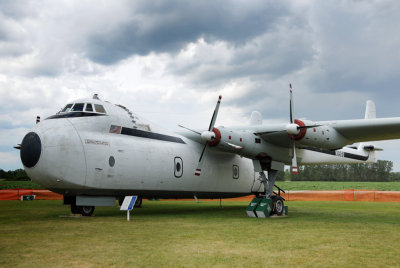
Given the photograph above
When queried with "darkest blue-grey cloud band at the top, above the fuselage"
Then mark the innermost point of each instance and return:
(167, 26)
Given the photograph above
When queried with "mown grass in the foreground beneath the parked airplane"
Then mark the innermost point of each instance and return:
(188, 234)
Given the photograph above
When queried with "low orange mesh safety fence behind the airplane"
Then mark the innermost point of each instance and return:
(340, 195)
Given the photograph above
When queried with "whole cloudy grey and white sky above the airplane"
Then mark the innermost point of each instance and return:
(169, 60)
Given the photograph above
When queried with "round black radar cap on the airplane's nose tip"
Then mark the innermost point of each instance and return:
(31, 149)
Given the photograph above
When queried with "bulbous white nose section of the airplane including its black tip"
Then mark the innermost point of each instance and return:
(53, 156)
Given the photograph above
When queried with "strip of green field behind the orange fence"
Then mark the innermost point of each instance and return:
(292, 185)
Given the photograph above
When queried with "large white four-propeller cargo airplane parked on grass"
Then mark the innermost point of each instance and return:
(94, 153)
